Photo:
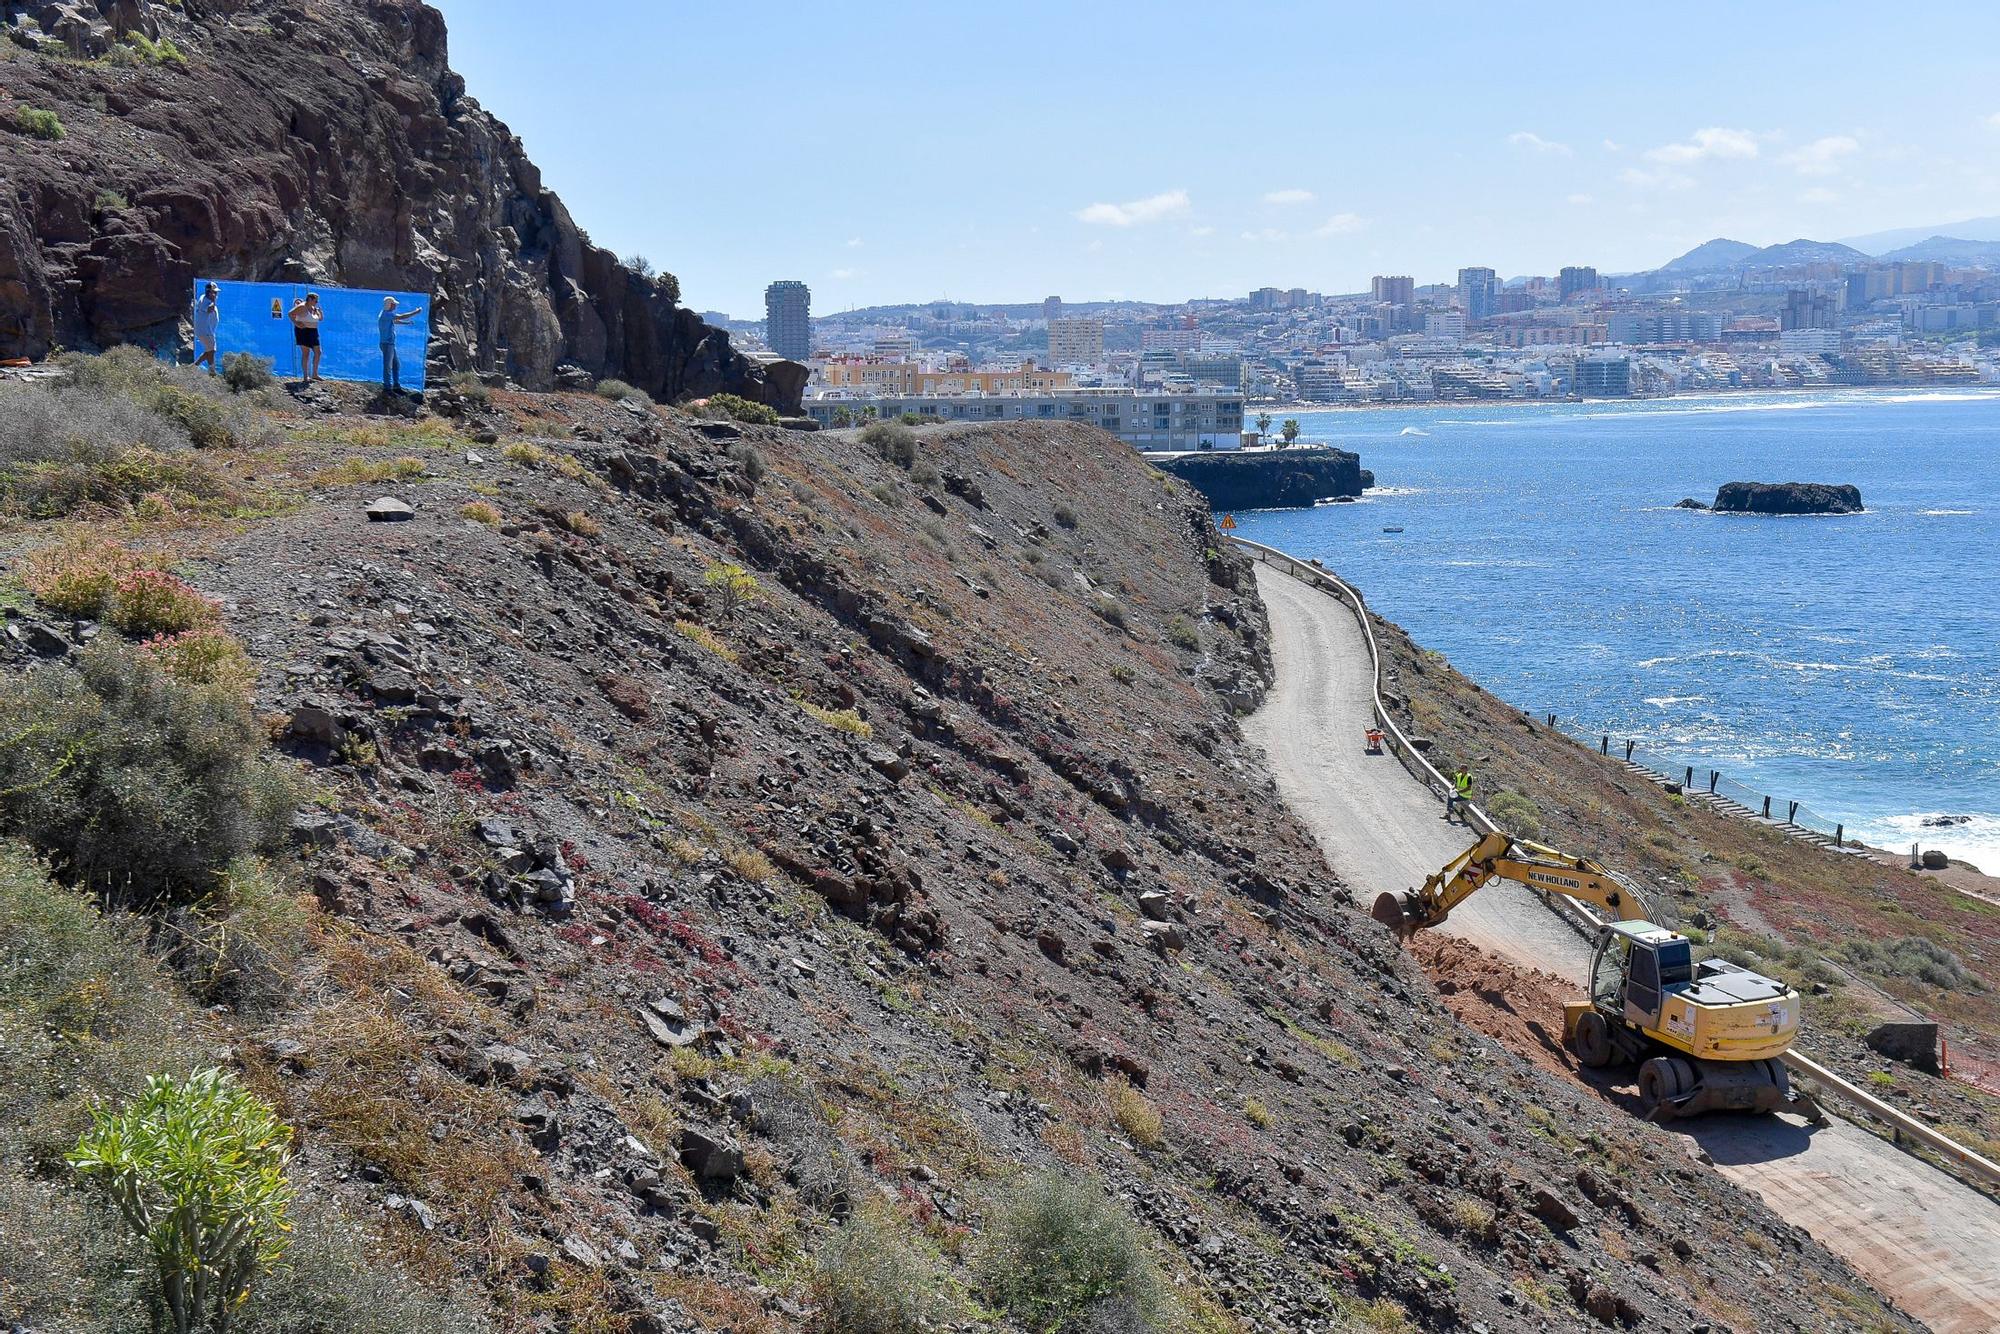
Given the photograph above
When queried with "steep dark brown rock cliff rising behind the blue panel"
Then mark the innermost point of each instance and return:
(325, 143)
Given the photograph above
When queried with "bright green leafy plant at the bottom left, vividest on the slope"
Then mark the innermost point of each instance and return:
(197, 1171)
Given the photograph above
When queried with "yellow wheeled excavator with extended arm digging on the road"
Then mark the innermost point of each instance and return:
(1707, 1035)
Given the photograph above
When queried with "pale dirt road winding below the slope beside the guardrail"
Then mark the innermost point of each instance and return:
(1915, 1233)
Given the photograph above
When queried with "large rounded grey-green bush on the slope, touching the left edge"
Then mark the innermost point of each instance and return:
(137, 785)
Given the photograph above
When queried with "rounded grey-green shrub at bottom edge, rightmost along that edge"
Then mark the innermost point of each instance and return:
(1063, 1251)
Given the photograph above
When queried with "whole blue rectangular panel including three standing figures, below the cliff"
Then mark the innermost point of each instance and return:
(349, 325)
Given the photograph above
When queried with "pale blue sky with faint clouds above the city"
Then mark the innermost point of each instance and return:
(891, 151)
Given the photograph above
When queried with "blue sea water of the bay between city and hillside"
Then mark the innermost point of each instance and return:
(1851, 663)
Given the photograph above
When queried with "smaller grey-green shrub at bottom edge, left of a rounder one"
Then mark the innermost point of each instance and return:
(877, 1277)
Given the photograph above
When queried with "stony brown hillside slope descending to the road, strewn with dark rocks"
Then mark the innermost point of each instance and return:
(727, 841)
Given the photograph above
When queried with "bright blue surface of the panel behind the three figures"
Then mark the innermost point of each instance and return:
(257, 319)
